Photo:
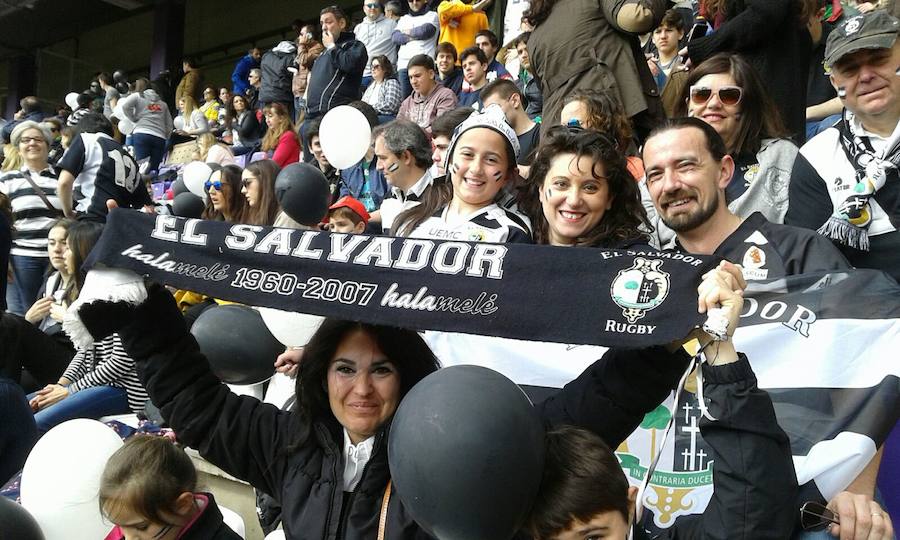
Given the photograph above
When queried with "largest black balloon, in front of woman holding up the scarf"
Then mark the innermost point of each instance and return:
(466, 452)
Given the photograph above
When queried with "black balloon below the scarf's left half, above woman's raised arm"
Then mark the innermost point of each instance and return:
(235, 340)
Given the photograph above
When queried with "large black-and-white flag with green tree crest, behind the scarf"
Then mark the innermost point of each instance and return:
(825, 346)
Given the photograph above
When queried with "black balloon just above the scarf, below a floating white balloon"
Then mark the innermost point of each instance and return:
(302, 191)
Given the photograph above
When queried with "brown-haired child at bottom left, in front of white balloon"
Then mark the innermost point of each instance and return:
(149, 491)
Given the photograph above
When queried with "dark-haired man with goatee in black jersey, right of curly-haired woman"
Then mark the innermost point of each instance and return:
(687, 170)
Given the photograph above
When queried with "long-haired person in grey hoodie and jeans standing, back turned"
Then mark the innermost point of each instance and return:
(152, 122)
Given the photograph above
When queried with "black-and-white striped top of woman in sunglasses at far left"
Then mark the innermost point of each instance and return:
(33, 220)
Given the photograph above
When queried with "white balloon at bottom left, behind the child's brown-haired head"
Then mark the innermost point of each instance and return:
(61, 479)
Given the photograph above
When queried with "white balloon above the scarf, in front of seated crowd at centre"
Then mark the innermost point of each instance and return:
(345, 136)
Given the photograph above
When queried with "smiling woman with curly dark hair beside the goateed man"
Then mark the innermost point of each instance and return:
(581, 194)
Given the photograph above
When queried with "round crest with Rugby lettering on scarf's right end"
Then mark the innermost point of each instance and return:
(638, 289)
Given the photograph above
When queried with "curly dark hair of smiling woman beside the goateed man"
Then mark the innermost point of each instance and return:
(621, 223)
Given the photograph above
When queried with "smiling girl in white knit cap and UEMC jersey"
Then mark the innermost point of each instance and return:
(481, 161)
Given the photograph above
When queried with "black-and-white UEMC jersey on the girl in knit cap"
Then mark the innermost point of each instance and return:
(489, 224)
